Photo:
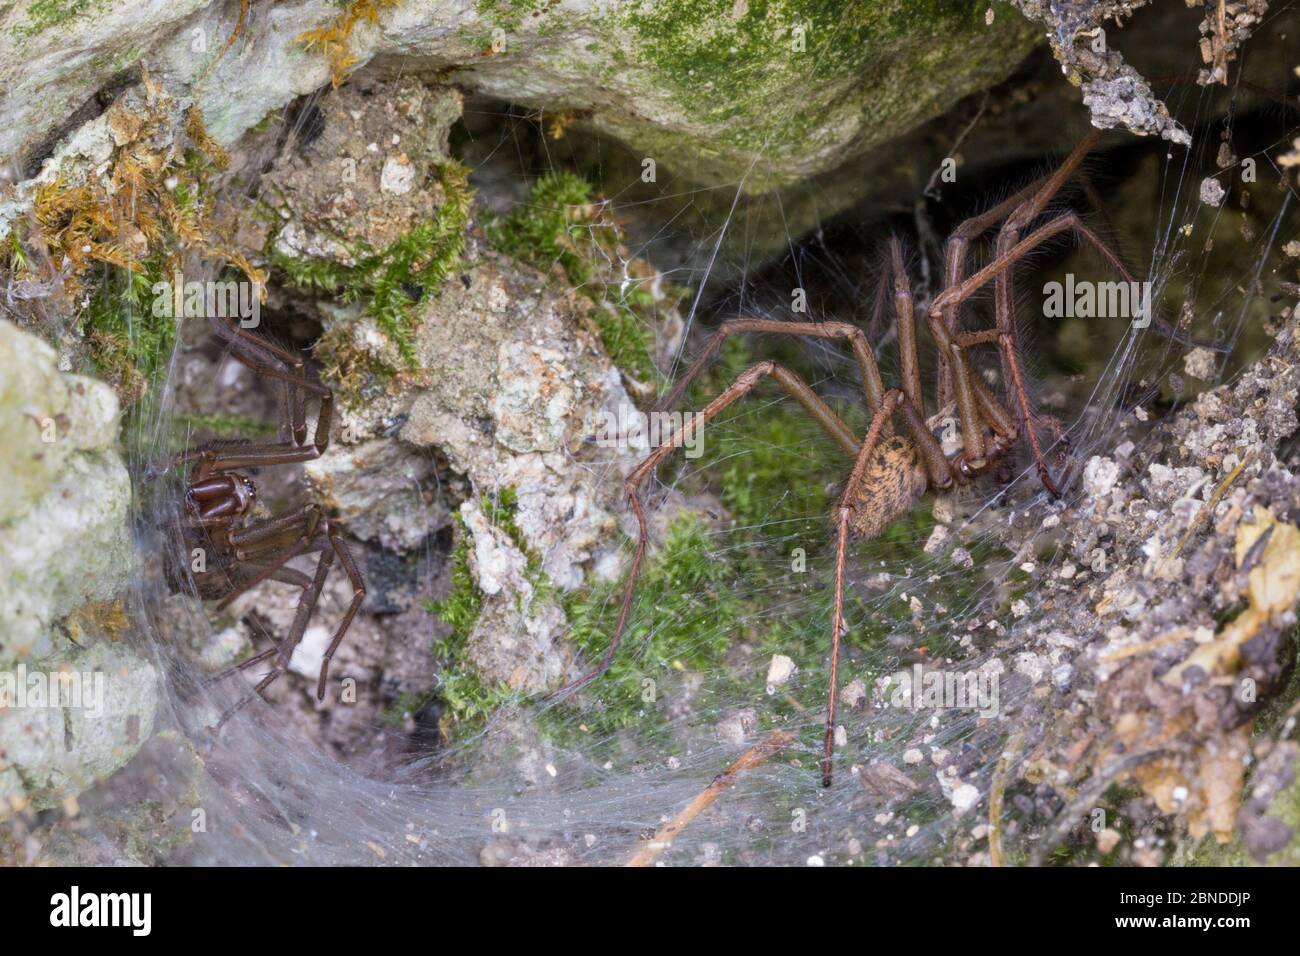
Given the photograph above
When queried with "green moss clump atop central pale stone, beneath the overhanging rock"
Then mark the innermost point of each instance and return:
(564, 226)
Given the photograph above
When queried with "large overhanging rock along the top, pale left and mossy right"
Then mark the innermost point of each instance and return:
(692, 84)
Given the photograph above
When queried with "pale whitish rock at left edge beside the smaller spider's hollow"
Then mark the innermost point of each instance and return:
(66, 556)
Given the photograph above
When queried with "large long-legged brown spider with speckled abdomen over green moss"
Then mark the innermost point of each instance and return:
(892, 471)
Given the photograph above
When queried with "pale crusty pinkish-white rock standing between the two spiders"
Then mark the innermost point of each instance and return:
(519, 392)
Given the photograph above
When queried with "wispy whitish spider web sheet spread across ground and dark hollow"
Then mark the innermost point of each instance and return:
(583, 791)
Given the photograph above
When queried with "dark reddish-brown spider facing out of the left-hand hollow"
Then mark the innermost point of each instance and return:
(239, 551)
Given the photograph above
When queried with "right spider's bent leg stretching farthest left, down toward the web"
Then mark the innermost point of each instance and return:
(746, 383)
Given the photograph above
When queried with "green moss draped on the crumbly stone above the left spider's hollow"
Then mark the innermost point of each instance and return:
(393, 282)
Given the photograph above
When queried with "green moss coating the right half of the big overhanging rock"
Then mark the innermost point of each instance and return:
(727, 71)
